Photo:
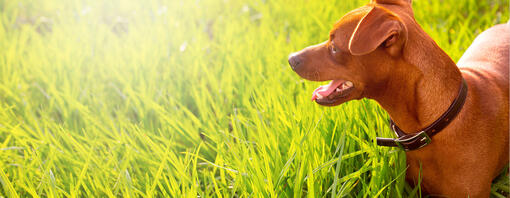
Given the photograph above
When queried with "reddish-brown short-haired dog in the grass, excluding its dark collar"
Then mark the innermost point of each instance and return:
(380, 52)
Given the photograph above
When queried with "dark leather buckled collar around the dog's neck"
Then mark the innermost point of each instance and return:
(420, 139)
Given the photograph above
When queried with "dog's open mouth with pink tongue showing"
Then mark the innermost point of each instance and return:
(333, 93)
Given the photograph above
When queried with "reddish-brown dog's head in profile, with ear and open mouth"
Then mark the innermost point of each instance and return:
(359, 54)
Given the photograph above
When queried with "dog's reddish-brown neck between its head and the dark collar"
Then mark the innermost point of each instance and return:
(422, 86)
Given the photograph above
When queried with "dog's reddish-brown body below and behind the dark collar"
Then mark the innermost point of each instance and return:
(467, 155)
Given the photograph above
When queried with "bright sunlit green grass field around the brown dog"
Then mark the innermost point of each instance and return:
(190, 98)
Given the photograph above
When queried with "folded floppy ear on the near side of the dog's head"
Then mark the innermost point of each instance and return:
(380, 27)
